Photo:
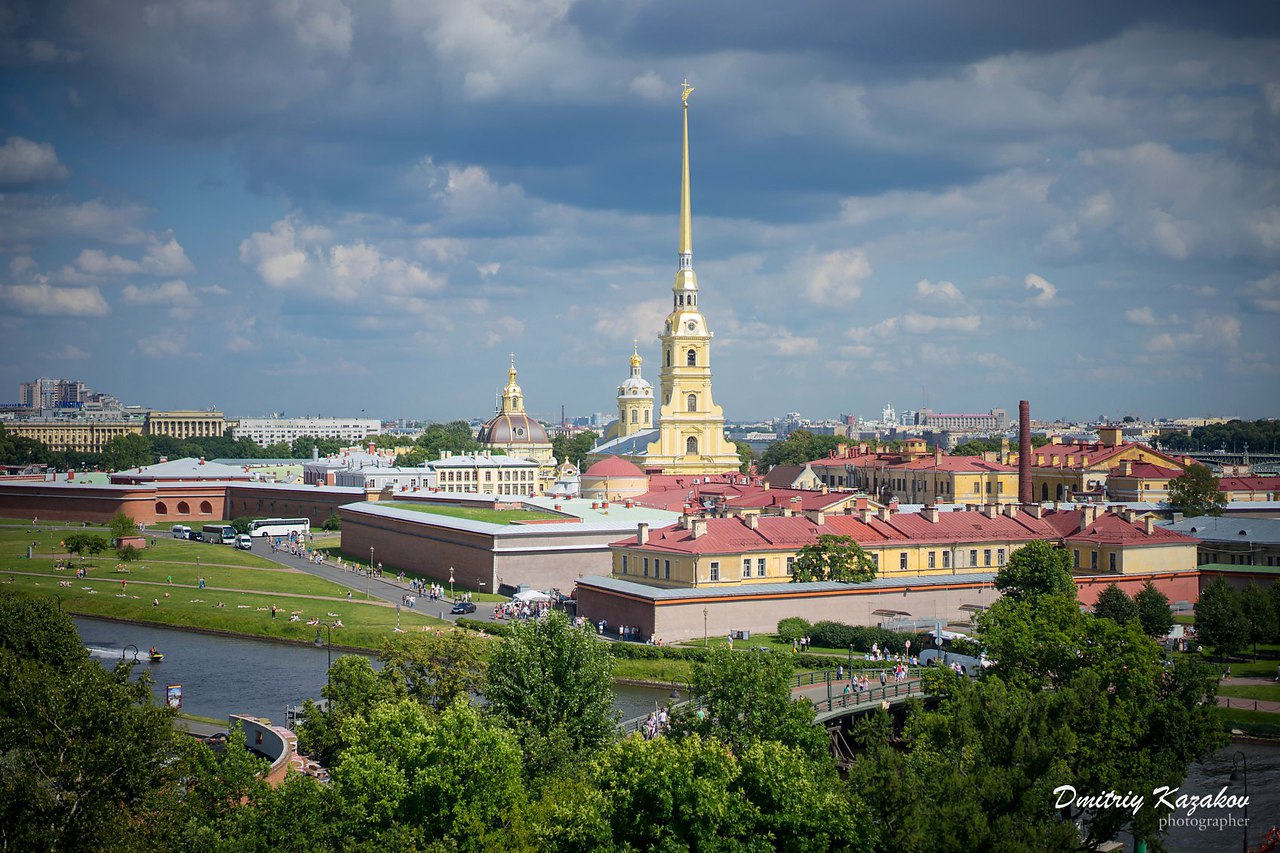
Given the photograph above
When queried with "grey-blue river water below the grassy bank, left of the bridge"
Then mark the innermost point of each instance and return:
(222, 676)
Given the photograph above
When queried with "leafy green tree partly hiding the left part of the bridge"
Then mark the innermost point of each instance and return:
(746, 699)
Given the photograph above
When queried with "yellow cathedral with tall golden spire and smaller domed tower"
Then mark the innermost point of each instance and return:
(689, 436)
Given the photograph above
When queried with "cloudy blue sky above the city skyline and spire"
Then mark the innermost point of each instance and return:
(330, 207)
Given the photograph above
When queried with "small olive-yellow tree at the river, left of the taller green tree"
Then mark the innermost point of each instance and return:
(437, 669)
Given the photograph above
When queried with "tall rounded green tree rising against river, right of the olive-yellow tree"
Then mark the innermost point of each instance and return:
(554, 685)
